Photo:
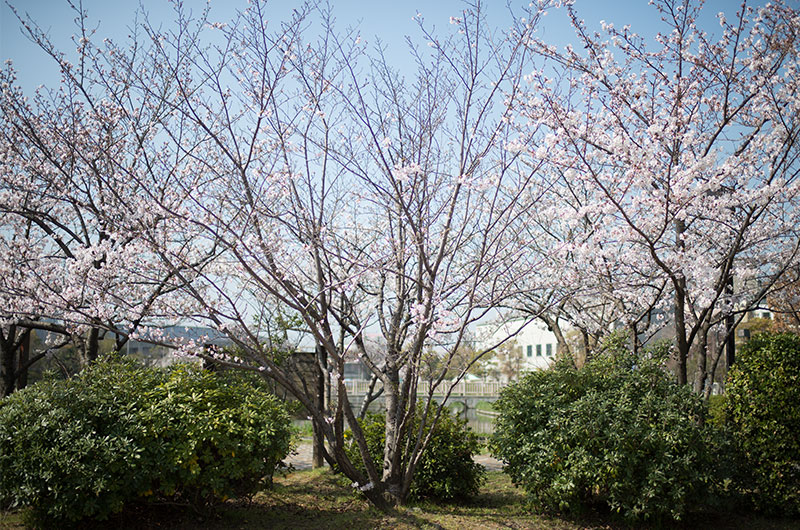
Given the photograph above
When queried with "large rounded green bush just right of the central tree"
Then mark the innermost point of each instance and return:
(617, 433)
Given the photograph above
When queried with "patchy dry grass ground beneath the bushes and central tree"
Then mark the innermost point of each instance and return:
(319, 499)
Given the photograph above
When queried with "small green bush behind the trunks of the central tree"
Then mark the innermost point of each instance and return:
(446, 469)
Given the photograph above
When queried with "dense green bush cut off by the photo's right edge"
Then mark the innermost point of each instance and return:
(763, 407)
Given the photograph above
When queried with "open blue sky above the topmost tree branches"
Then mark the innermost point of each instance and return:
(390, 20)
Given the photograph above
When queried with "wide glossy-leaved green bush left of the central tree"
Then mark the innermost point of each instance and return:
(119, 433)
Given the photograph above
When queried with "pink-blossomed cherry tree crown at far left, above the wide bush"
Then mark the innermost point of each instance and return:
(75, 160)
